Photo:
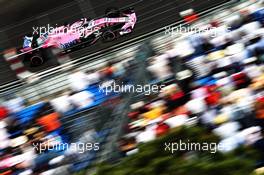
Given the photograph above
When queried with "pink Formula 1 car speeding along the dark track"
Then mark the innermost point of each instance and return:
(70, 37)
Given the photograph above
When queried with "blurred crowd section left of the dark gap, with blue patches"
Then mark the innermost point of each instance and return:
(34, 139)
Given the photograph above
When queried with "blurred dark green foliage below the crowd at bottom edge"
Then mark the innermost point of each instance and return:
(152, 159)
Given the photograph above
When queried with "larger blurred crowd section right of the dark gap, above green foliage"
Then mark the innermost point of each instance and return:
(215, 82)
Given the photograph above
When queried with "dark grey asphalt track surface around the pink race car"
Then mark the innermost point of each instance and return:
(152, 14)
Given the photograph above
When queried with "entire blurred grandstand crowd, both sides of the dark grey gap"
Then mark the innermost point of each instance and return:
(216, 82)
